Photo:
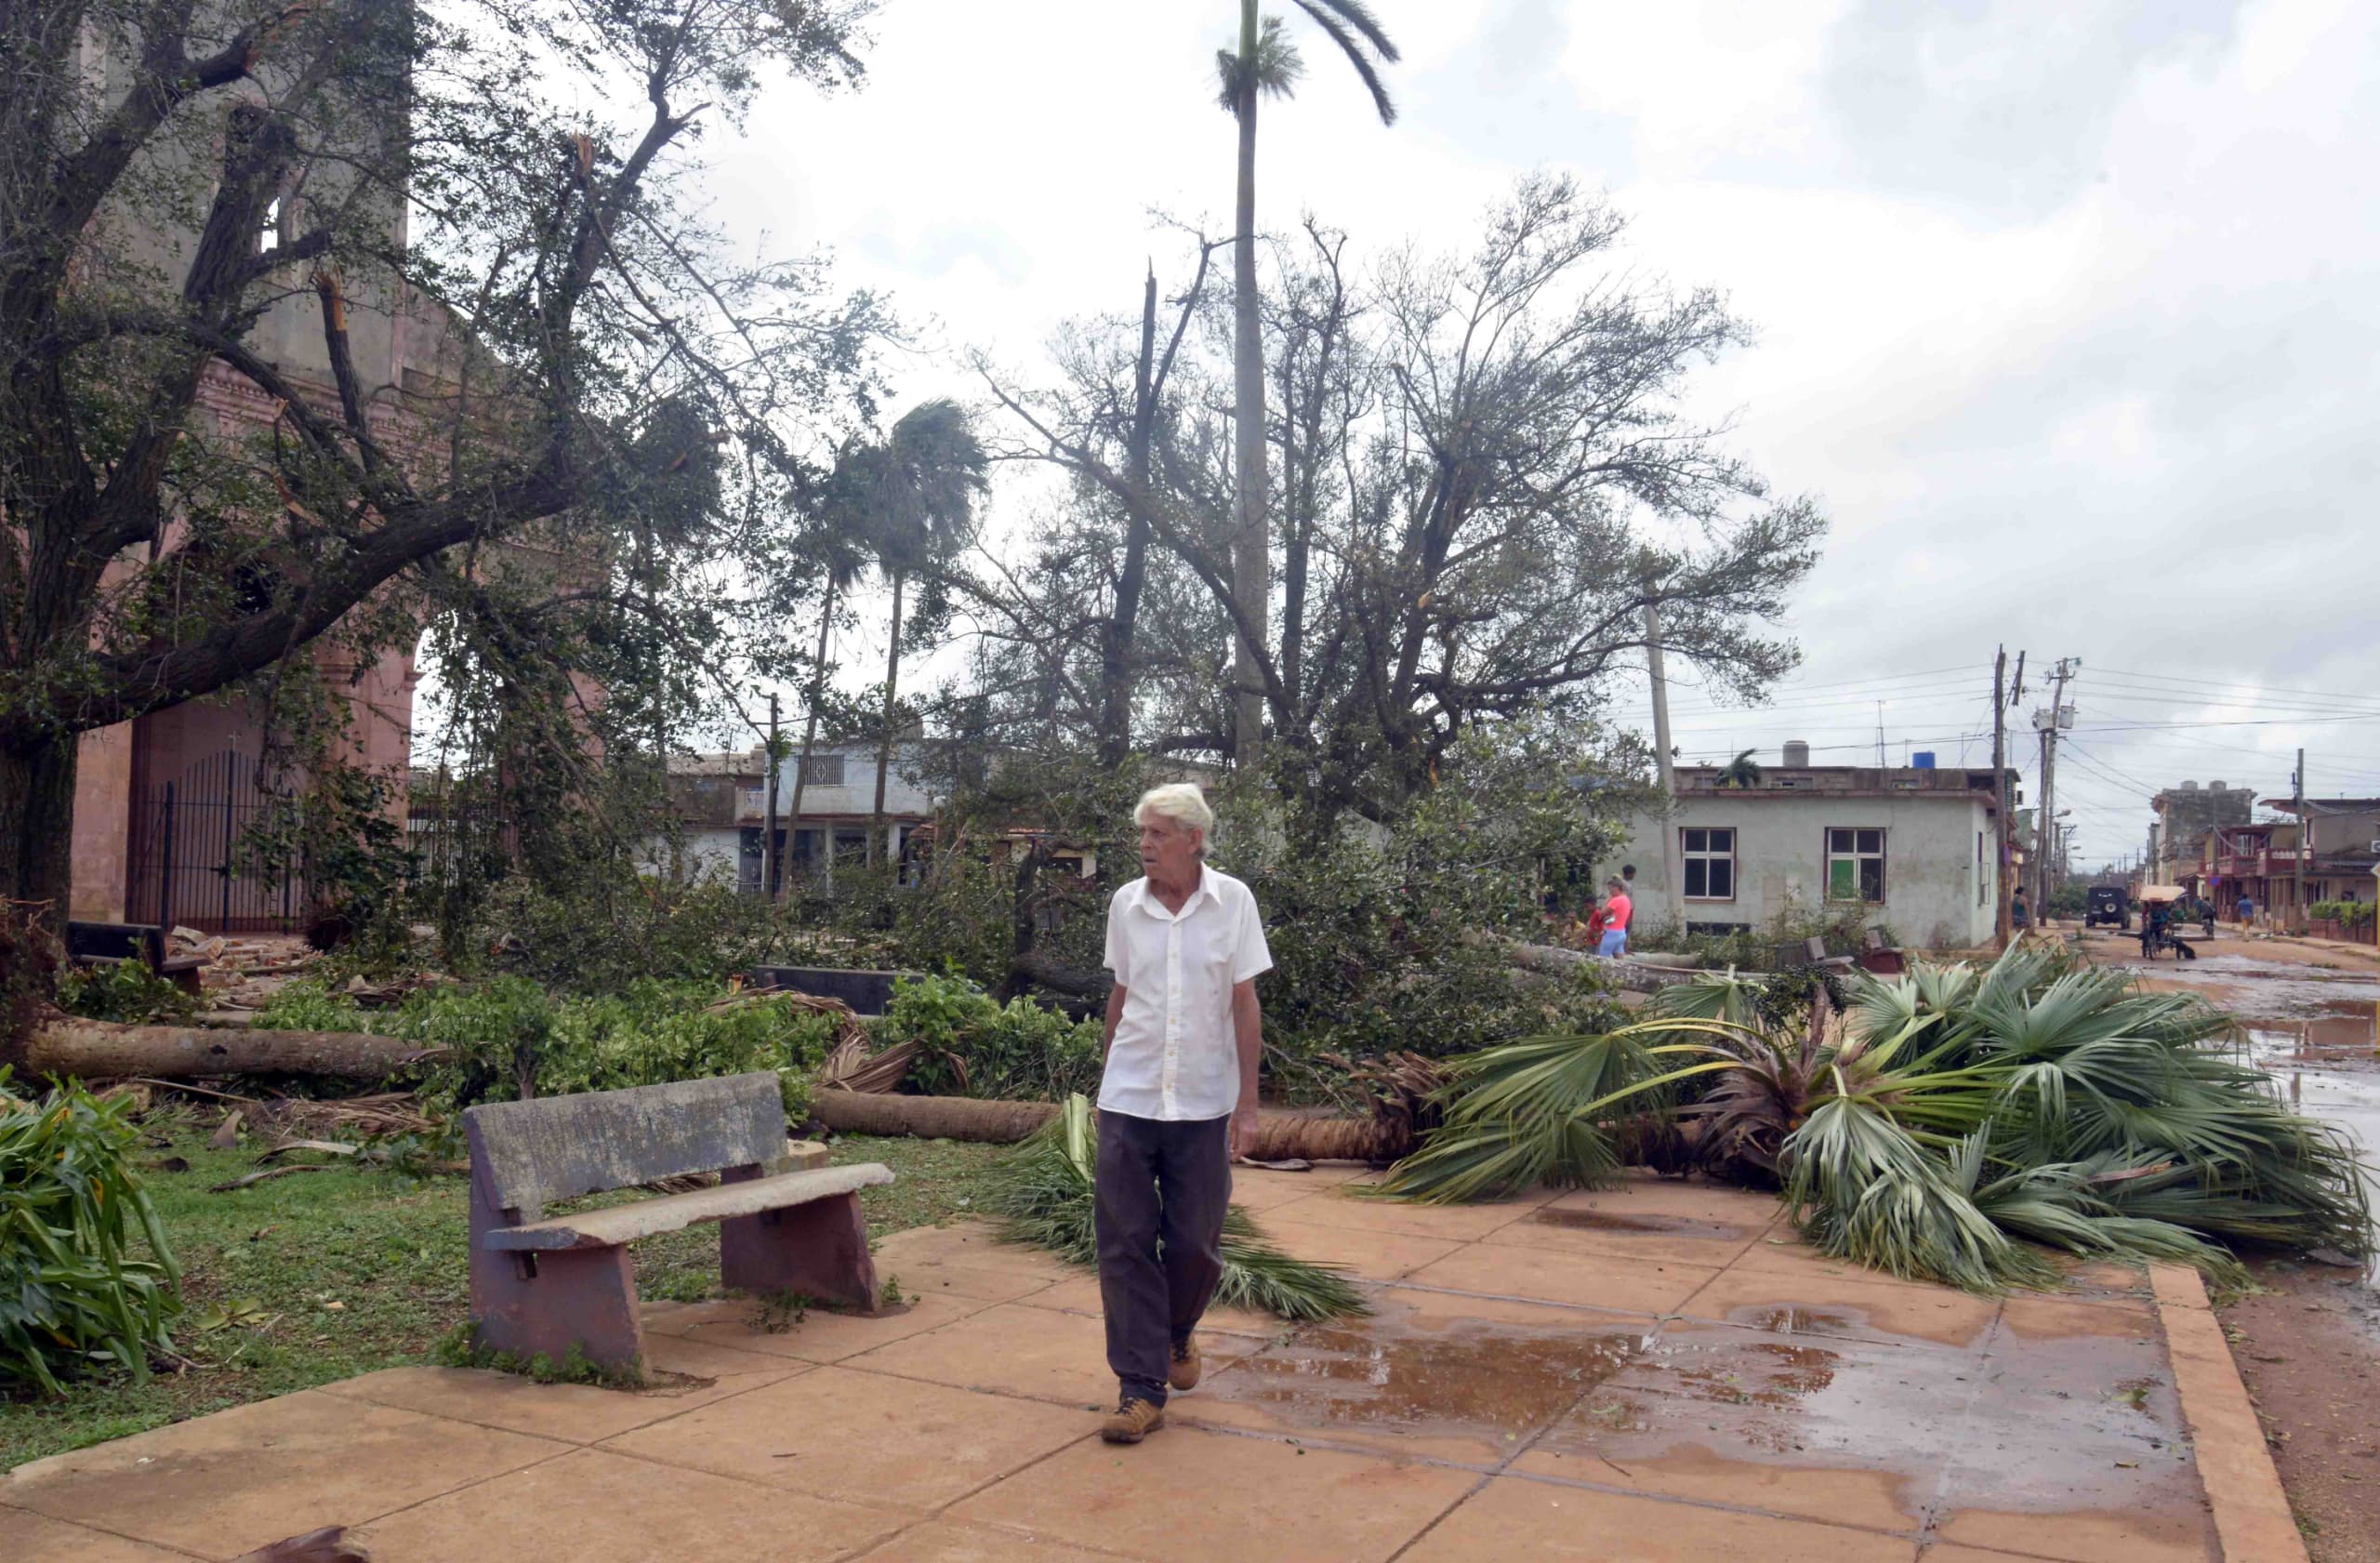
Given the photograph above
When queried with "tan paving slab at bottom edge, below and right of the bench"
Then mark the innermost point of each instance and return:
(596, 1507)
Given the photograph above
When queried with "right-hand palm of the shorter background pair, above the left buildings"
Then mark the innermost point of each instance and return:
(925, 513)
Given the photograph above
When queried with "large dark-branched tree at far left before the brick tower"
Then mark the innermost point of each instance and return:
(215, 220)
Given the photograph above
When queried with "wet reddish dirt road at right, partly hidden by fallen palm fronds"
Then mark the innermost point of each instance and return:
(2310, 1343)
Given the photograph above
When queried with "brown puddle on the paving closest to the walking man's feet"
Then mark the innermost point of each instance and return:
(1448, 1379)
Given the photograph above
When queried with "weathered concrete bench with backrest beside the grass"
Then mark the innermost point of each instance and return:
(544, 1286)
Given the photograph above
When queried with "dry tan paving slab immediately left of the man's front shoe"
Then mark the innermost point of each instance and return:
(865, 1438)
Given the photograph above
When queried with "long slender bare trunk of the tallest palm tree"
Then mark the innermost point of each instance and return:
(1251, 548)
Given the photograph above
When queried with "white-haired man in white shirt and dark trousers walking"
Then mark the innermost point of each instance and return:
(1177, 1100)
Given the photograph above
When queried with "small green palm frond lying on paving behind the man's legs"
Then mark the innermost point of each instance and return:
(1044, 1198)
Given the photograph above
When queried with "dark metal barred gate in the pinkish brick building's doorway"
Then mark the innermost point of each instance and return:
(196, 860)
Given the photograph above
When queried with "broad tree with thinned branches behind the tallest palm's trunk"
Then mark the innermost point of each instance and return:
(1484, 472)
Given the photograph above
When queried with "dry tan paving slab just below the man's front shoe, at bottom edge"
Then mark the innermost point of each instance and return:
(1191, 1498)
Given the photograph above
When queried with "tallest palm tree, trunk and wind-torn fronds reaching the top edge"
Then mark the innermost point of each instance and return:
(1267, 65)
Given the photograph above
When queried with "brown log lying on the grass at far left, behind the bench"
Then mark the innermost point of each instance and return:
(101, 1050)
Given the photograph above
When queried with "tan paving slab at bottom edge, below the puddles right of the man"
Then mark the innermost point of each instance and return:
(1517, 1519)
